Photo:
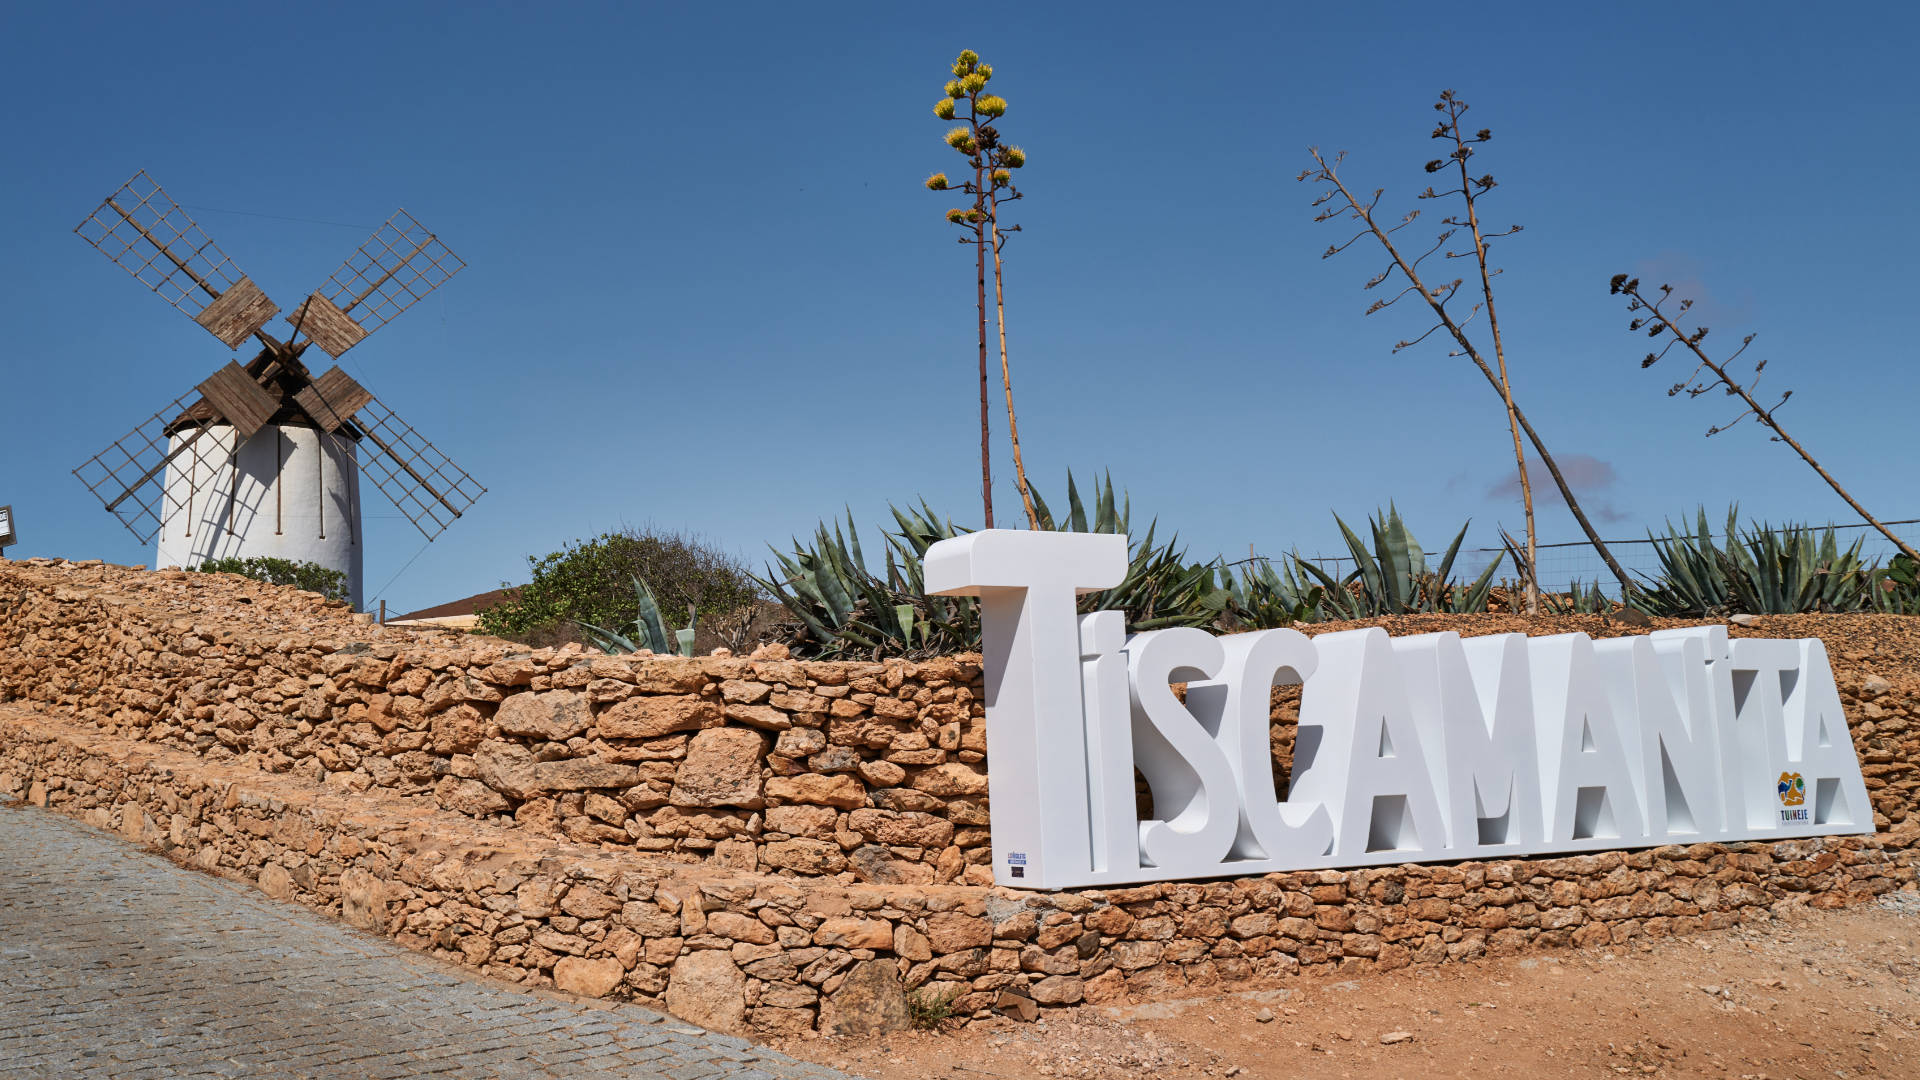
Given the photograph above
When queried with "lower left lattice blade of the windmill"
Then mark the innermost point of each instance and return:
(130, 478)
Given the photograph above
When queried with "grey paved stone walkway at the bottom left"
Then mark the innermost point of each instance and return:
(118, 964)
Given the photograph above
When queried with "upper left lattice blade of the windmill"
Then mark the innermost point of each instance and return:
(153, 239)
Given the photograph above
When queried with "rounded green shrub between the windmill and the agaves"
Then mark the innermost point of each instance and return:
(592, 583)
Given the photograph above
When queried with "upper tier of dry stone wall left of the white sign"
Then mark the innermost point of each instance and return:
(871, 772)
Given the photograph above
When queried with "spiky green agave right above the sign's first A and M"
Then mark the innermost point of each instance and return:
(1393, 577)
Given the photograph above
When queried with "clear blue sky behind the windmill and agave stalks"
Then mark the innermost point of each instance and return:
(709, 293)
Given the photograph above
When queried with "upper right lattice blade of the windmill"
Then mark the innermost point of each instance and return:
(395, 270)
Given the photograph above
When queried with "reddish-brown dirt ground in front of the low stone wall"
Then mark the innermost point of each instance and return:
(1810, 994)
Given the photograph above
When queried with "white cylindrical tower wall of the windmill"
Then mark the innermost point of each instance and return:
(291, 493)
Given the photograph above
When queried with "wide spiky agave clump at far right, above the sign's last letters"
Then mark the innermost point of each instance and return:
(1762, 572)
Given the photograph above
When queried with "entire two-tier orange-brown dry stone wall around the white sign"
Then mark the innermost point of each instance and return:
(648, 829)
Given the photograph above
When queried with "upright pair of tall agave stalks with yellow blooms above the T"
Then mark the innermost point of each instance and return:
(994, 184)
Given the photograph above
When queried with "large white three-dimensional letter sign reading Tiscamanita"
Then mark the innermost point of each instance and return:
(1408, 750)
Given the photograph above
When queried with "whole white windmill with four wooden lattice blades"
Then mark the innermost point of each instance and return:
(266, 460)
